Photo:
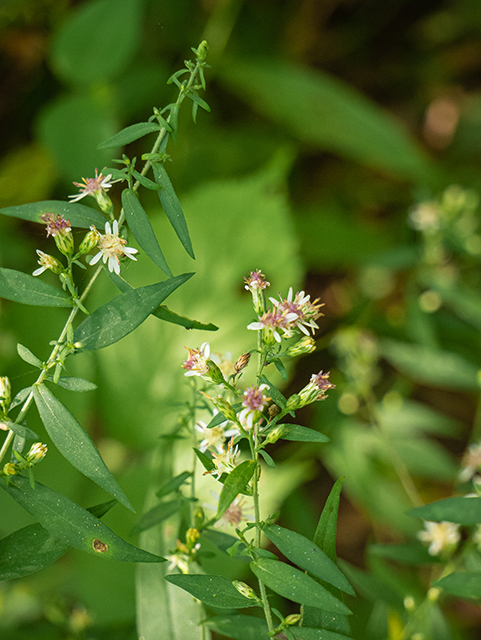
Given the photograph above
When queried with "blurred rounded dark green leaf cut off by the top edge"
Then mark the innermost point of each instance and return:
(97, 41)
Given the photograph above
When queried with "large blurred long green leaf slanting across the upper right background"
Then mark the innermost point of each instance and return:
(325, 112)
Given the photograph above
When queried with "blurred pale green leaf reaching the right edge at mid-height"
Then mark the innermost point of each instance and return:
(432, 367)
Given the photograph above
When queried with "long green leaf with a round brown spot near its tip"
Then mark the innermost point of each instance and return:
(71, 523)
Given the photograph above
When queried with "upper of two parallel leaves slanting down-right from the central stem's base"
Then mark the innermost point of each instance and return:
(307, 555)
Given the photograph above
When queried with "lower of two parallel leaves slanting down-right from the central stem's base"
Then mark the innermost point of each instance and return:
(296, 585)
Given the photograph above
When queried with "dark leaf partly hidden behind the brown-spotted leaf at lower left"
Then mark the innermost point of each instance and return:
(32, 548)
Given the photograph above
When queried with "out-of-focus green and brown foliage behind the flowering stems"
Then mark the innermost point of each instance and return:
(331, 121)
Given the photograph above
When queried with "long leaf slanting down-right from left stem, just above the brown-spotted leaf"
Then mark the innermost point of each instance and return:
(74, 443)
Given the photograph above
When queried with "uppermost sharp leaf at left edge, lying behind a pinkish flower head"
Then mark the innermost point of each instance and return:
(78, 214)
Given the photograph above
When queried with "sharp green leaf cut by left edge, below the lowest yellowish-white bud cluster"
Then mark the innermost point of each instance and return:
(24, 288)
